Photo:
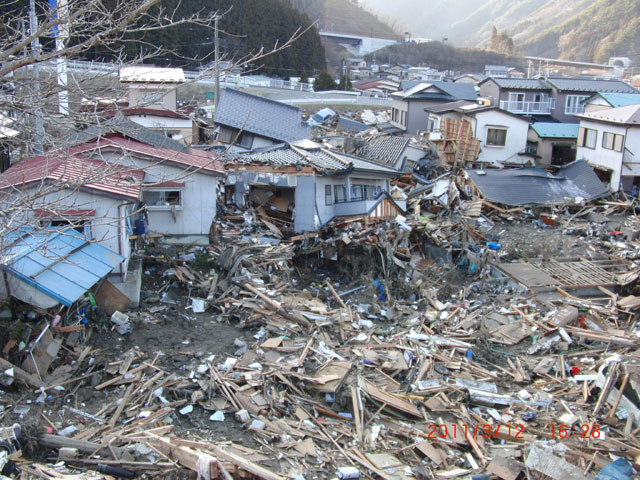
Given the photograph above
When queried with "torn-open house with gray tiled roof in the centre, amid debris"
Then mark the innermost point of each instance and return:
(306, 185)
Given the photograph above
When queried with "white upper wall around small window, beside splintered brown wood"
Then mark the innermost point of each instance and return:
(516, 139)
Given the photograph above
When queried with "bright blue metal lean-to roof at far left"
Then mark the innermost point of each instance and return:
(61, 264)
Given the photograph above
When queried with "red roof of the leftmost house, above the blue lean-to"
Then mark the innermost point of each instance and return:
(76, 172)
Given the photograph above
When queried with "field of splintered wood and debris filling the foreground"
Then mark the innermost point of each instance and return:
(460, 341)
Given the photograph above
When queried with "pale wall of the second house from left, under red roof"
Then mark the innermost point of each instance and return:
(198, 196)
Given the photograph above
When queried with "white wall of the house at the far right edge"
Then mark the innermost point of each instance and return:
(611, 160)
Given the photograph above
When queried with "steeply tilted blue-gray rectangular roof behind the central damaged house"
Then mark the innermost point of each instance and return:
(260, 116)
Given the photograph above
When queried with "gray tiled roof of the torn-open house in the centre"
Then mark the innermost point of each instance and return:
(285, 155)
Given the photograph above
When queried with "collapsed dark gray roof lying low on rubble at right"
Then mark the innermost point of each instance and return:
(536, 186)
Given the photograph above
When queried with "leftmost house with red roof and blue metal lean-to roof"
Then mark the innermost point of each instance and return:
(67, 226)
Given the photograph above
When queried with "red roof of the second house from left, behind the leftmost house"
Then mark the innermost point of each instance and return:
(194, 159)
